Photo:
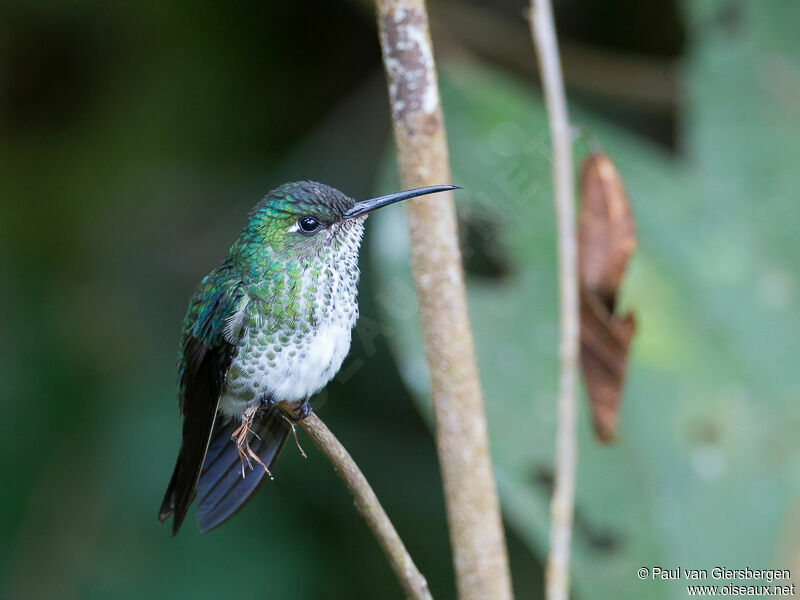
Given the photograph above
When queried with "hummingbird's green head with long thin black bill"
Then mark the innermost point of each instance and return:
(306, 219)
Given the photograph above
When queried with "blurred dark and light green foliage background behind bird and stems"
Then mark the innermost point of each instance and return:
(134, 137)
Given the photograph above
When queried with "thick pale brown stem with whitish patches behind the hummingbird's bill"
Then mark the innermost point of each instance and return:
(473, 511)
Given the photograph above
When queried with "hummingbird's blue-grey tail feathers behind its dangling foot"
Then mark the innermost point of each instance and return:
(222, 490)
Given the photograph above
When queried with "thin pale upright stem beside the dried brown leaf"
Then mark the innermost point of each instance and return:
(561, 508)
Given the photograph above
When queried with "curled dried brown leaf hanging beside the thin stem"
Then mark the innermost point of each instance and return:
(606, 240)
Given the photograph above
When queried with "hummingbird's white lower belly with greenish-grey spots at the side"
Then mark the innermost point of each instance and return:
(290, 373)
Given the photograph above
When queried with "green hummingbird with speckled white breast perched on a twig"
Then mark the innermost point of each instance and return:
(268, 328)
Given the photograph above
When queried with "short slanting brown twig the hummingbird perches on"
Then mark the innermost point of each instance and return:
(367, 504)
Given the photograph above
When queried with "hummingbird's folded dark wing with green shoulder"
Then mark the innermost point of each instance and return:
(204, 362)
